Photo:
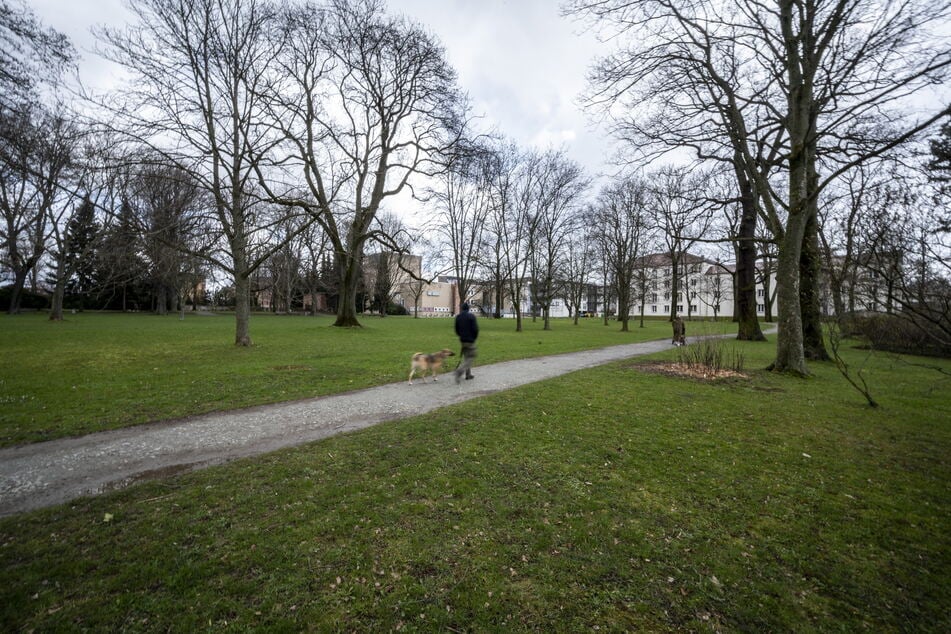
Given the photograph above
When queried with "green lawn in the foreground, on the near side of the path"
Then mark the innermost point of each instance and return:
(610, 499)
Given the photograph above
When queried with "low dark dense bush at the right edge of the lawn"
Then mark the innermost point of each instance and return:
(900, 334)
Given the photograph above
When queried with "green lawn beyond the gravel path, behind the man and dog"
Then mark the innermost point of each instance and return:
(98, 371)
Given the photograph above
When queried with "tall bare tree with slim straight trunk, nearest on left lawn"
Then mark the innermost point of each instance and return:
(193, 100)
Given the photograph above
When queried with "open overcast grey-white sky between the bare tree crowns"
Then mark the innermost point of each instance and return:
(521, 63)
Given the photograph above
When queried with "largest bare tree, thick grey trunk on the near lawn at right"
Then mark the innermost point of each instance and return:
(783, 84)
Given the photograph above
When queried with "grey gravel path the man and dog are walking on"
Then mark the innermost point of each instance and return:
(48, 473)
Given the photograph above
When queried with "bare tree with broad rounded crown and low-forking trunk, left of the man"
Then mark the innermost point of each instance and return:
(388, 107)
